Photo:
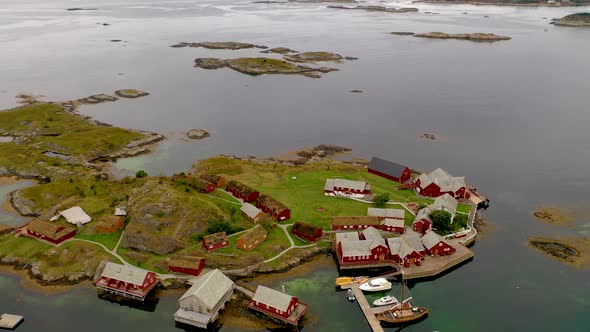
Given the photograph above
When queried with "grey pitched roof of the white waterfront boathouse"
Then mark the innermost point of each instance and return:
(210, 288)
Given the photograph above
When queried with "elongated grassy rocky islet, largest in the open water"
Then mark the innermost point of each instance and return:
(260, 66)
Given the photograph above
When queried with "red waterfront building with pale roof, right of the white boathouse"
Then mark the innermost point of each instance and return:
(278, 305)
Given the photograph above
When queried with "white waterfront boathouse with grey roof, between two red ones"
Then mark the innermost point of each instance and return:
(202, 302)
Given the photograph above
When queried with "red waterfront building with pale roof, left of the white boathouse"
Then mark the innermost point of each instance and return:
(127, 281)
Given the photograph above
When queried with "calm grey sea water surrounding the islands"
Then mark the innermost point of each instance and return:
(513, 117)
